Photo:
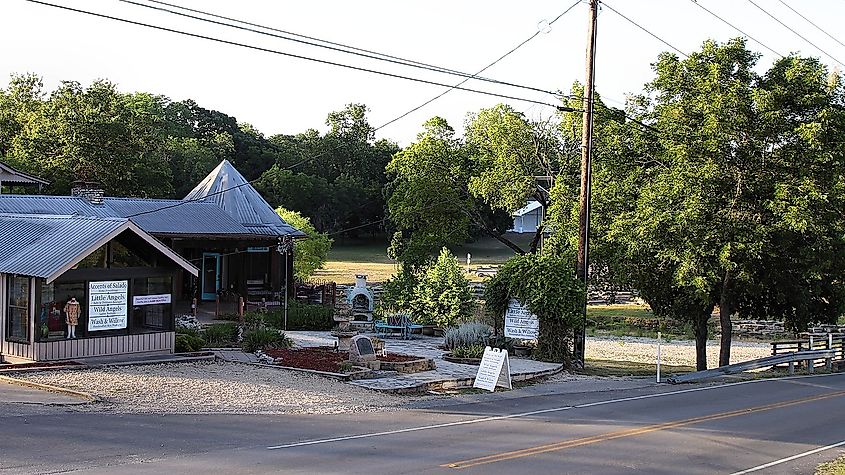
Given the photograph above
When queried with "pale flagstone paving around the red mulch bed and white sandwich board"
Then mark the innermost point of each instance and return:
(446, 375)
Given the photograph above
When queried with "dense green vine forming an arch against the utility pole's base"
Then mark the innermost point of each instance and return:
(547, 286)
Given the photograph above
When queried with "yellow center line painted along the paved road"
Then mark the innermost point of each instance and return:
(531, 451)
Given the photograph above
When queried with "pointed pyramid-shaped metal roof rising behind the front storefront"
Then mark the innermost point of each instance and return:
(226, 187)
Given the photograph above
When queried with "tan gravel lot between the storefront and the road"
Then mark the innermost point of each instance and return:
(205, 387)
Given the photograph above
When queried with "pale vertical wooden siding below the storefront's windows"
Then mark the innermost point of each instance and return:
(89, 347)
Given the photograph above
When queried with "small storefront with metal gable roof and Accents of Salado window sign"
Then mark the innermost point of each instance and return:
(79, 286)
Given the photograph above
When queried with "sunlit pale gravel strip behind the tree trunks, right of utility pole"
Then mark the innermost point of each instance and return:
(677, 352)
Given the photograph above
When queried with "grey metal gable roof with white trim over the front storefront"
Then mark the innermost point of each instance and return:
(47, 246)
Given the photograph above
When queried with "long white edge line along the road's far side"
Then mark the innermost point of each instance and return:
(527, 414)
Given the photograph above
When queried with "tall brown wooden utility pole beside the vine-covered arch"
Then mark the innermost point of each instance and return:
(583, 265)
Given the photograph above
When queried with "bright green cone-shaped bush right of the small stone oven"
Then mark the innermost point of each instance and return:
(444, 295)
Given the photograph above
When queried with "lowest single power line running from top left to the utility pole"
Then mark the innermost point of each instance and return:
(282, 53)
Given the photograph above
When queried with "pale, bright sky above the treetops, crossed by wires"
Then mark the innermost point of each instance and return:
(281, 94)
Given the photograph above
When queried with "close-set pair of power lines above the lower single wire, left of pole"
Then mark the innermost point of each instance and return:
(339, 47)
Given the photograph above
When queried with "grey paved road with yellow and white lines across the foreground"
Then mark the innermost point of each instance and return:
(656, 430)
